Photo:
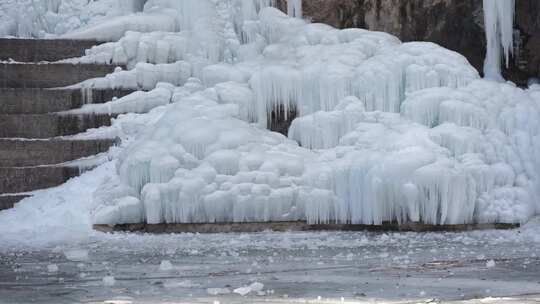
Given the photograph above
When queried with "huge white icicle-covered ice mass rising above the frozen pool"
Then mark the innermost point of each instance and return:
(386, 131)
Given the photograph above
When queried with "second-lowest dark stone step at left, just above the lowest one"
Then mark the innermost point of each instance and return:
(25, 179)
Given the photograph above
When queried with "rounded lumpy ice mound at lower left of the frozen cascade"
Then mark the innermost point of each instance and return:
(221, 167)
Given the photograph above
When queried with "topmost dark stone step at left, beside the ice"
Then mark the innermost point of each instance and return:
(36, 50)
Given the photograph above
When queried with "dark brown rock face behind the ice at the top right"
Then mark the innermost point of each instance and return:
(455, 24)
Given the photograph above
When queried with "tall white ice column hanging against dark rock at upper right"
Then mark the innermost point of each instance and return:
(499, 23)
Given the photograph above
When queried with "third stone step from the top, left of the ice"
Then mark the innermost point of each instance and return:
(41, 101)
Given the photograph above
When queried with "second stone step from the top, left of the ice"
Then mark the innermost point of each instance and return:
(49, 75)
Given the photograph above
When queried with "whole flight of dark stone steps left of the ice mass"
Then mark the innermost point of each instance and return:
(34, 150)
